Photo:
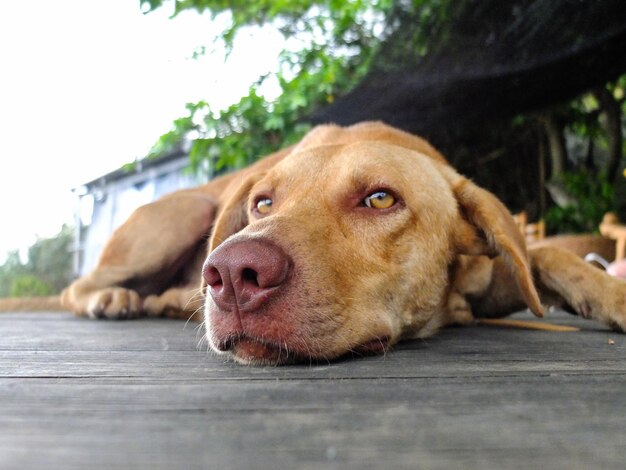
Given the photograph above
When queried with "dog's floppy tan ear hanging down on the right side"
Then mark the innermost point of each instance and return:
(487, 228)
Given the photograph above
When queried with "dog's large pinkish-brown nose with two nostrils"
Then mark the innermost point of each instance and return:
(243, 275)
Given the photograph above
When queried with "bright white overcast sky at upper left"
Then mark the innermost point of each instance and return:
(86, 86)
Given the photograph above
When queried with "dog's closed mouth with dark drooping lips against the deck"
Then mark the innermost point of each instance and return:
(254, 351)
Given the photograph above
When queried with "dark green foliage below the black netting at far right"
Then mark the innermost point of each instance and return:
(587, 150)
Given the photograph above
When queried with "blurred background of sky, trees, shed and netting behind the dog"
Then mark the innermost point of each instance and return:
(108, 105)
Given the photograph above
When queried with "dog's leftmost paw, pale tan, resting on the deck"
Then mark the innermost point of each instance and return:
(115, 303)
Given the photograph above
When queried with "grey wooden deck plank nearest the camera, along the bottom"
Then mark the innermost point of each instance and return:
(256, 425)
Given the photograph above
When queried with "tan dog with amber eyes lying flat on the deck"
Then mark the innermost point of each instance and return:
(352, 240)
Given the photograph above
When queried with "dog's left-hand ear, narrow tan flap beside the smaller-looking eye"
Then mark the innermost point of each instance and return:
(233, 216)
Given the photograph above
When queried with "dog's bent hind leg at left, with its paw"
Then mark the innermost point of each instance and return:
(143, 257)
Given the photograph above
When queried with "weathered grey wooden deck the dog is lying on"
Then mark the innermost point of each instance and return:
(77, 393)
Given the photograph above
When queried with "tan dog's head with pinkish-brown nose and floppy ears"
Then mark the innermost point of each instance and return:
(343, 248)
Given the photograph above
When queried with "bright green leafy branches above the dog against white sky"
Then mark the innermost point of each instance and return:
(336, 43)
